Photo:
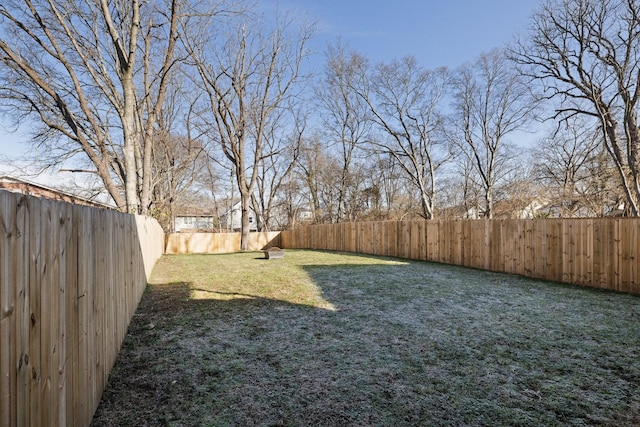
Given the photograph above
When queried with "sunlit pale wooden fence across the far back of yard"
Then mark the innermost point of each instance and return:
(217, 243)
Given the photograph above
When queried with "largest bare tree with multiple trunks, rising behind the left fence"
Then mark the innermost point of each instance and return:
(73, 67)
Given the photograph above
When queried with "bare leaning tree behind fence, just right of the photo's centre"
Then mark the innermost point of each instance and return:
(404, 99)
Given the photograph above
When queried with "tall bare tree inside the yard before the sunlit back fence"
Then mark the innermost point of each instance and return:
(247, 74)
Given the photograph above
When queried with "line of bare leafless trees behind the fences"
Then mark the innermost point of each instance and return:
(187, 107)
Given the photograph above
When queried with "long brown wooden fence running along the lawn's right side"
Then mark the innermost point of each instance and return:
(601, 252)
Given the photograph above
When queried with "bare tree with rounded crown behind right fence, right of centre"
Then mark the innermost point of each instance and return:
(491, 103)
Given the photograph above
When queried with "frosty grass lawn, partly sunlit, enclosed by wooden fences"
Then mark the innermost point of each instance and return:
(333, 339)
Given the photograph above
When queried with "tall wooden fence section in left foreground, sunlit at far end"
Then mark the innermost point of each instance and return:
(70, 280)
